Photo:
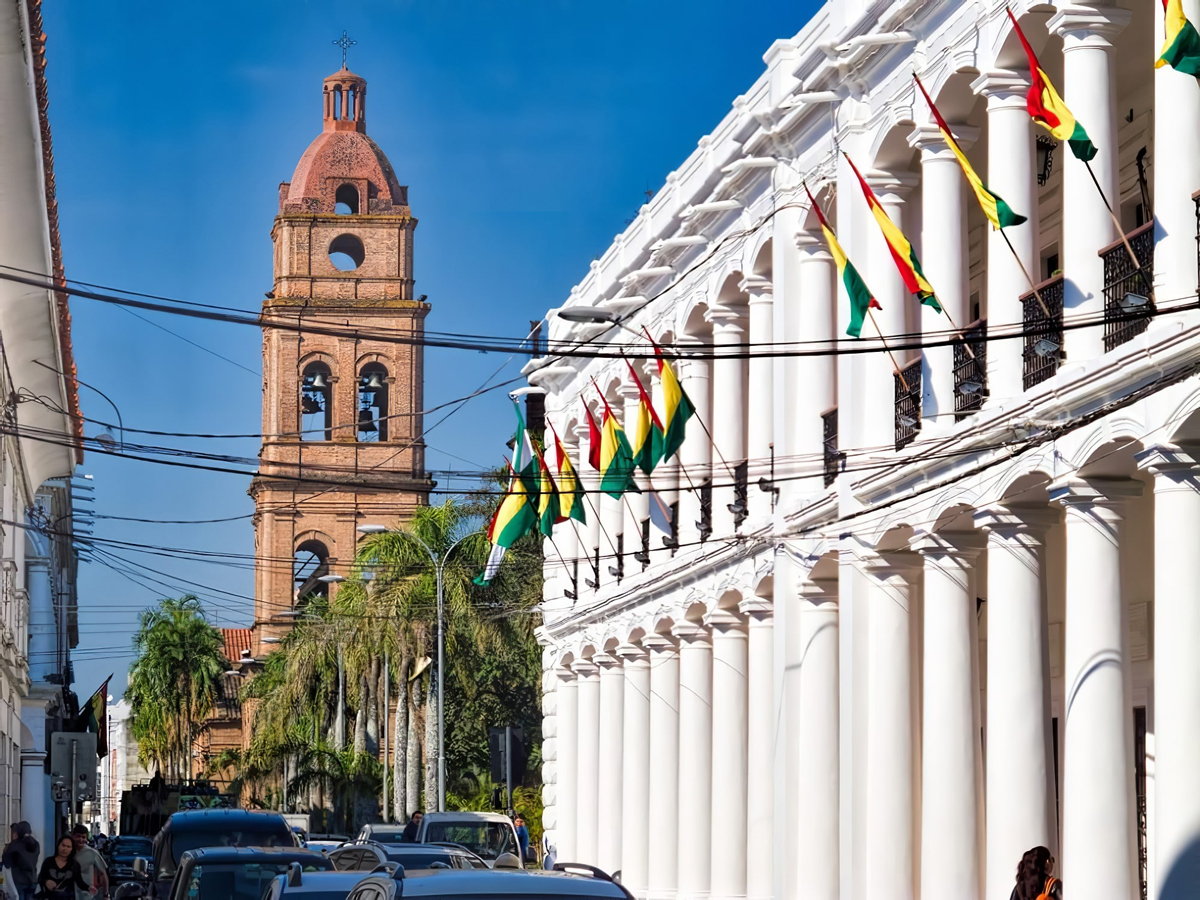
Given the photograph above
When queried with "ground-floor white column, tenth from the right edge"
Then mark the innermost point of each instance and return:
(664, 790)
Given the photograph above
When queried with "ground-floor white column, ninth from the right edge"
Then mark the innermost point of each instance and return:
(695, 760)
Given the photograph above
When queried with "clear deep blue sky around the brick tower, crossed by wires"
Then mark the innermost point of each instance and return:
(527, 130)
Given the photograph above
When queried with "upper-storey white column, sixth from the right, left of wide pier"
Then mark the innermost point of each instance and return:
(818, 376)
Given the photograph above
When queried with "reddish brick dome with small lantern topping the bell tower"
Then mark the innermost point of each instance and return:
(343, 165)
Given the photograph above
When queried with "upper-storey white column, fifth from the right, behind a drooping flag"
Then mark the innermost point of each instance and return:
(889, 289)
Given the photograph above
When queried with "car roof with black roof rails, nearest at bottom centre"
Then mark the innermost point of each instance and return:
(567, 881)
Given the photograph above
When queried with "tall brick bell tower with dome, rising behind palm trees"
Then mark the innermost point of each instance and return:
(344, 441)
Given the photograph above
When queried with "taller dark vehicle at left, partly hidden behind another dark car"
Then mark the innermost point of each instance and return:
(213, 829)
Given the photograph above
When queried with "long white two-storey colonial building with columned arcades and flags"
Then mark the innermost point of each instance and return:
(917, 621)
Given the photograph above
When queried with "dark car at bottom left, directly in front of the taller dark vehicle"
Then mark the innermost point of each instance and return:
(238, 873)
